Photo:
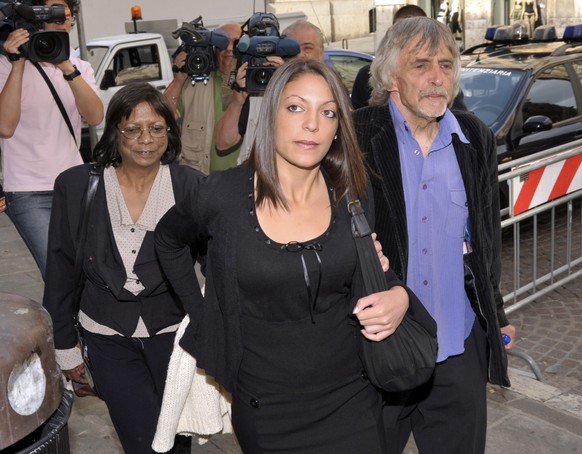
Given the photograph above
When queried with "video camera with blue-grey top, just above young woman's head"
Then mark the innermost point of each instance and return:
(262, 40)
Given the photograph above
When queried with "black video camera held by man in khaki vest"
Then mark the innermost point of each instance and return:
(199, 44)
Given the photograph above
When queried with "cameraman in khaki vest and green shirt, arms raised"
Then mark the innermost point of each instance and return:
(200, 105)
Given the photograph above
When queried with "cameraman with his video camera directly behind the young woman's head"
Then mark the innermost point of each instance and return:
(300, 39)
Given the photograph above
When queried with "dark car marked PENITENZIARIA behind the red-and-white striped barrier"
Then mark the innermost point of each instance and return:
(530, 94)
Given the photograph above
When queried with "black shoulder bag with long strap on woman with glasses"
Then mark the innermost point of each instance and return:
(82, 389)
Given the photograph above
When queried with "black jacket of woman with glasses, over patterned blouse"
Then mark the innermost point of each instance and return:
(104, 299)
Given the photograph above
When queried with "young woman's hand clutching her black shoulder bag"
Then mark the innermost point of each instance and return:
(381, 313)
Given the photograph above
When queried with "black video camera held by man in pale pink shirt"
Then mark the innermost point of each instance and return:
(45, 45)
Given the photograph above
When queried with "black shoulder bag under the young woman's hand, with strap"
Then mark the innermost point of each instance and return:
(405, 359)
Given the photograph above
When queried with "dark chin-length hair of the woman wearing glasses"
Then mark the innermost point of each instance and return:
(121, 107)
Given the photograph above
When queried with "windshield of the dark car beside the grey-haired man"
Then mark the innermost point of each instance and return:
(487, 92)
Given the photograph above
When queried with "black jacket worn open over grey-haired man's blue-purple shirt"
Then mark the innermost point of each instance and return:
(478, 164)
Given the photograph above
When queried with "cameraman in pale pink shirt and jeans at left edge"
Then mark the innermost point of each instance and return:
(36, 142)
